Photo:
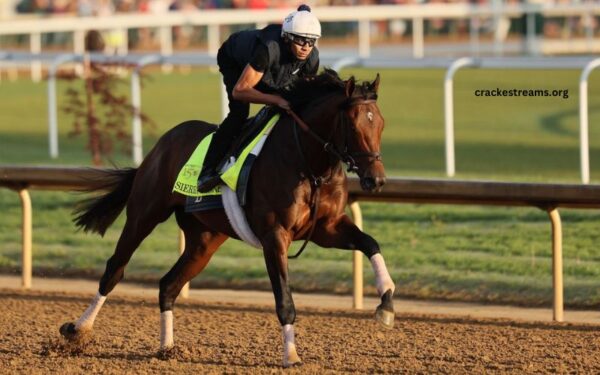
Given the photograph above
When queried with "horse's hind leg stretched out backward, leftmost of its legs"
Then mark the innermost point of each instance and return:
(134, 232)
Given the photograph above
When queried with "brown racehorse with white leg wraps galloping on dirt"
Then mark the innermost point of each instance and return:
(345, 124)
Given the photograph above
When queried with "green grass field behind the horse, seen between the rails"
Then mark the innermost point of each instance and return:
(490, 254)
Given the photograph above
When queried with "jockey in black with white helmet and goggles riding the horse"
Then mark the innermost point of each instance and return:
(257, 65)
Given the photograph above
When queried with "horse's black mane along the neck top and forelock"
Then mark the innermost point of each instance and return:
(307, 89)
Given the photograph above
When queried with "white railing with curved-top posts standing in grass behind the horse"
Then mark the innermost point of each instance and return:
(587, 64)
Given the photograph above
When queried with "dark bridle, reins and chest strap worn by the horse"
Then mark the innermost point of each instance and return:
(348, 158)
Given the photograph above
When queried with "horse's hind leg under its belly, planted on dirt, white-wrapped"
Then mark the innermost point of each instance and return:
(200, 245)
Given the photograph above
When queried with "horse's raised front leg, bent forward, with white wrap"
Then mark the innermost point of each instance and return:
(344, 234)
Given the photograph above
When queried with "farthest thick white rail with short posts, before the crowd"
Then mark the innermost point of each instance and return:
(363, 15)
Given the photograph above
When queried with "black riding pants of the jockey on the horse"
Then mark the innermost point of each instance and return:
(231, 127)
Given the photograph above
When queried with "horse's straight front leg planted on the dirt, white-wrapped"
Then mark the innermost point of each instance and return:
(275, 245)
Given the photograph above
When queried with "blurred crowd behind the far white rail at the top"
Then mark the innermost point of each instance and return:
(561, 27)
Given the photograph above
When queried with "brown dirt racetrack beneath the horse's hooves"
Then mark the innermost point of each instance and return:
(227, 338)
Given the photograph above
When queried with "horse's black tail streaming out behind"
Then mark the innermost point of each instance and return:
(98, 213)
